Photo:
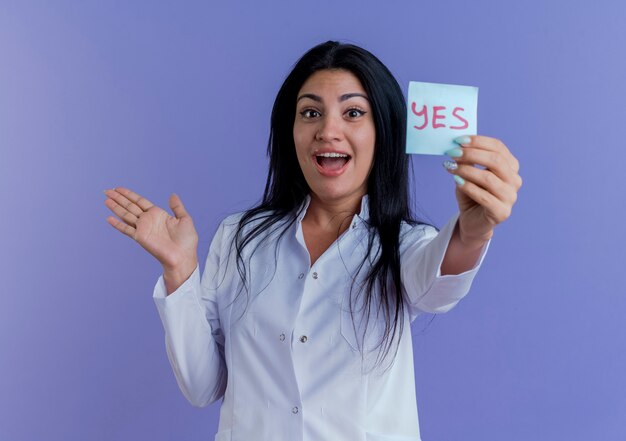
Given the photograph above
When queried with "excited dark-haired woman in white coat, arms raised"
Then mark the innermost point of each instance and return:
(300, 320)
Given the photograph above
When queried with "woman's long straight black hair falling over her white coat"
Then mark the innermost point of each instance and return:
(387, 185)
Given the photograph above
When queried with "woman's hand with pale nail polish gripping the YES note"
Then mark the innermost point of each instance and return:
(485, 196)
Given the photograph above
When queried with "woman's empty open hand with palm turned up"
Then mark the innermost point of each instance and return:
(172, 240)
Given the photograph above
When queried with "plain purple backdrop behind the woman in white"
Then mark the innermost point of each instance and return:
(166, 97)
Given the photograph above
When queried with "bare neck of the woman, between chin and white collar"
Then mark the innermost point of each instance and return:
(332, 215)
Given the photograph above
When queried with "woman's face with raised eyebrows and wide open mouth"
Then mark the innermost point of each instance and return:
(334, 135)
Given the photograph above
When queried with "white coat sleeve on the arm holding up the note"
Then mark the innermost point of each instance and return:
(427, 290)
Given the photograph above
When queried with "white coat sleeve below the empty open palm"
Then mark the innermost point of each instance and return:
(193, 336)
